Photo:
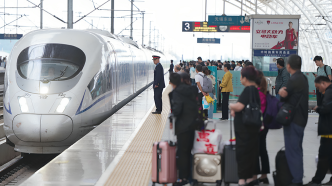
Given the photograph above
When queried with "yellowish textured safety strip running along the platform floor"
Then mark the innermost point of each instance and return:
(134, 168)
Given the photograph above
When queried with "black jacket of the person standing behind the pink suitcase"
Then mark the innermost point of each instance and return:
(184, 107)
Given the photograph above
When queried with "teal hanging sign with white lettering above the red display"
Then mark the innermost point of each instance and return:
(229, 20)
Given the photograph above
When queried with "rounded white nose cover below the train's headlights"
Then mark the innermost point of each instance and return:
(42, 128)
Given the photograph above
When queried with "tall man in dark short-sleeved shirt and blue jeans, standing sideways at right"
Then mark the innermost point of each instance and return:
(296, 91)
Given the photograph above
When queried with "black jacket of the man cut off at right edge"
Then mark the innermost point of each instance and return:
(325, 116)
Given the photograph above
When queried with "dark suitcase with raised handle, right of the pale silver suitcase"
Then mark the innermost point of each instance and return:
(230, 174)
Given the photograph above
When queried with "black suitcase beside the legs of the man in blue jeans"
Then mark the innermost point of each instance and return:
(282, 176)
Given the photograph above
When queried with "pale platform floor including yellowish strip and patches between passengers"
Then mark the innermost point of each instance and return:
(119, 151)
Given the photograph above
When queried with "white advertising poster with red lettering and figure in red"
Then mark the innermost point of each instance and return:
(275, 34)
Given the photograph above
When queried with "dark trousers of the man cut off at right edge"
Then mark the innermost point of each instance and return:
(324, 159)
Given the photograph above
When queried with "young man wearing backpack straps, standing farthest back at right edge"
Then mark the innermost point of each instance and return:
(322, 70)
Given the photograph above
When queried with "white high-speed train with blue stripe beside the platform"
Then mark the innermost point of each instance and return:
(60, 84)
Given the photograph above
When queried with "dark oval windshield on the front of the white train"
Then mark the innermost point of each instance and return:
(50, 62)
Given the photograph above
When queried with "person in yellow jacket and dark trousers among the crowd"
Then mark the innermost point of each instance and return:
(227, 88)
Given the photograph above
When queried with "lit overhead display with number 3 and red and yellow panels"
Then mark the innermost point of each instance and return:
(189, 26)
